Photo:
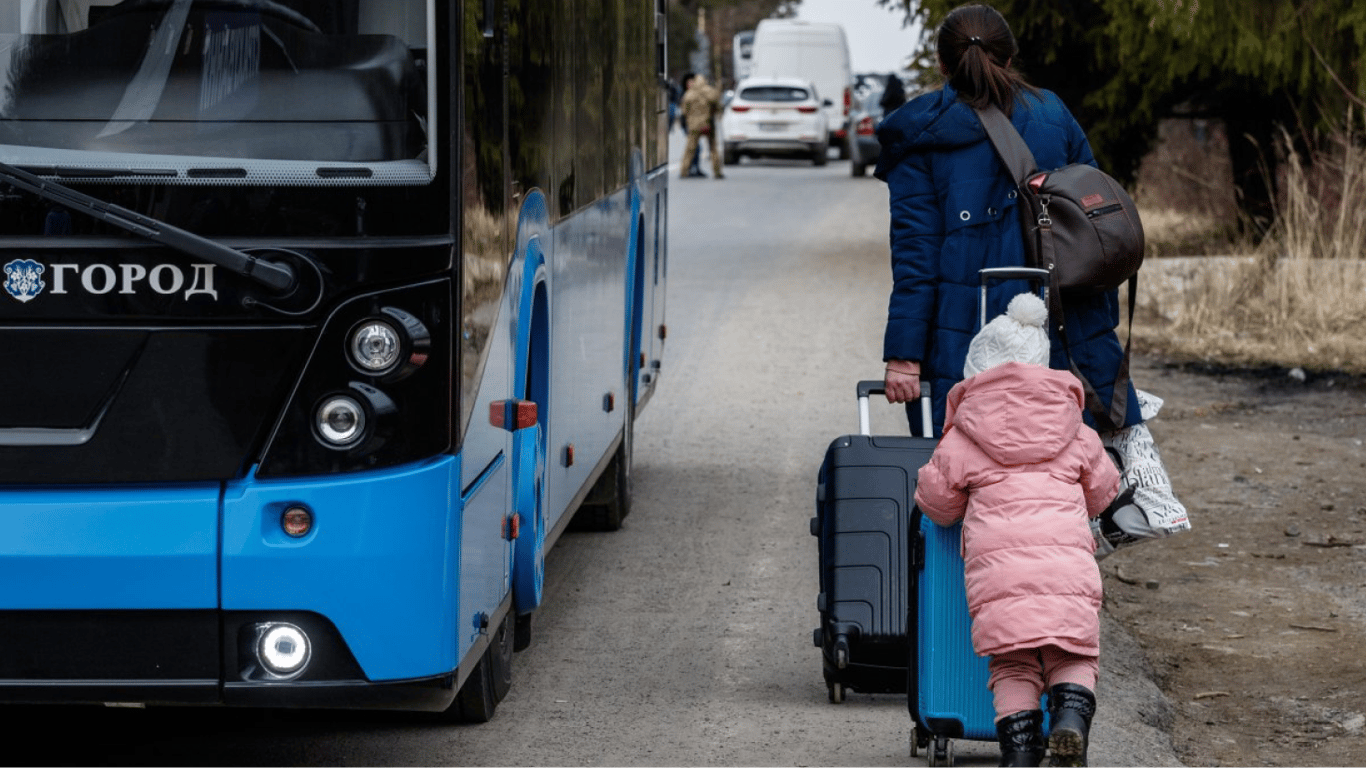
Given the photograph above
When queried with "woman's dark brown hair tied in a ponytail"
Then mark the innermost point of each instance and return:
(976, 47)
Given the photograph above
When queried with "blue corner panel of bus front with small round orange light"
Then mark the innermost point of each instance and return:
(380, 564)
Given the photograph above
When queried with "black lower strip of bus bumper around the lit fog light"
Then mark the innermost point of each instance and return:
(176, 658)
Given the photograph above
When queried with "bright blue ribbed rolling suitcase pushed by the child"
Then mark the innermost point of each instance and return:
(946, 678)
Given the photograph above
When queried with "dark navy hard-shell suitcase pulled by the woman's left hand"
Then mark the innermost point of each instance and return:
(865, 493)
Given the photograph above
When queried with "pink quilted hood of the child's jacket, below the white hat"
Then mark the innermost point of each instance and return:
(1018, 413)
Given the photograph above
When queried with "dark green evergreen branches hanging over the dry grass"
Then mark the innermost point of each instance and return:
(1125, 65)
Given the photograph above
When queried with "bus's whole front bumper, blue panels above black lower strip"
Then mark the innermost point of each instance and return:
(170, 595)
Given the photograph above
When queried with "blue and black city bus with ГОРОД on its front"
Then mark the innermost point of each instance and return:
(324, 320)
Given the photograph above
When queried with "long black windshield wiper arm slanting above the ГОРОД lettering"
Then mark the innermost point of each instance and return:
(270, 274)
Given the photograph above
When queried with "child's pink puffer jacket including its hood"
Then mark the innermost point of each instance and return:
(1024, 474)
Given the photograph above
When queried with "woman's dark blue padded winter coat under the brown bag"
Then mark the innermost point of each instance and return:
(953, 215)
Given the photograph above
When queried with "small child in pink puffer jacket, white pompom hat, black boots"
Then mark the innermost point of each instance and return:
(1025, 475)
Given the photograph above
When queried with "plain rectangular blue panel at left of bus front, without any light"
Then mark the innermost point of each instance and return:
(110, 549)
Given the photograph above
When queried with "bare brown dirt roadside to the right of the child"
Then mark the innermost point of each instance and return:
(1256, 620)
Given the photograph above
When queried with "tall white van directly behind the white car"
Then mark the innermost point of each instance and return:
(811, 51)
